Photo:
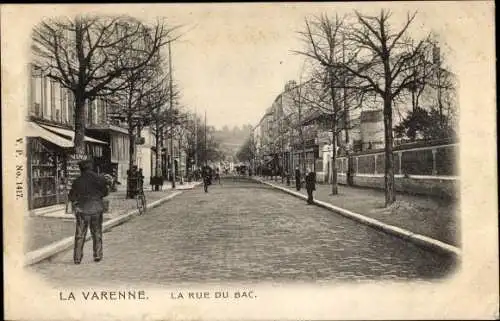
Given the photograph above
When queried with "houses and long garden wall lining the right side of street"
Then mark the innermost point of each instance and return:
(293, 133)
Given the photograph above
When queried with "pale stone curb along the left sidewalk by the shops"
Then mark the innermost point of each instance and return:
(50, 250)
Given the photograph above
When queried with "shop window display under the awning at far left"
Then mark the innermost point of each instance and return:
(47, 181)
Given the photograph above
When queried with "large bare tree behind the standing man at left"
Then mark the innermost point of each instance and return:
(89, 55)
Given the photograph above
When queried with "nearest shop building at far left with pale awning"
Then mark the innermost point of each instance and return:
(49, 137)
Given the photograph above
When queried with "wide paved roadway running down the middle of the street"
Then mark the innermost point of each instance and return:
(244, 231)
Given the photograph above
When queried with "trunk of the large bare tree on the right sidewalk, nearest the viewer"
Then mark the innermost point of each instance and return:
(390, 196)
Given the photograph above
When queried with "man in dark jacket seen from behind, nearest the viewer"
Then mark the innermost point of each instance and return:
(86, 194)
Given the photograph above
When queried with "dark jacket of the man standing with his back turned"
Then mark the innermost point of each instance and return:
(87, 191)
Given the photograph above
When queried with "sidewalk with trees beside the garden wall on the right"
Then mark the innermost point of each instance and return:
(432, 217)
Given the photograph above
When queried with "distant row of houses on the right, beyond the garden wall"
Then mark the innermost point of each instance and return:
(292, 133)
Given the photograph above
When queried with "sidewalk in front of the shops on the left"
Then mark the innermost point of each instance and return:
(44, 229)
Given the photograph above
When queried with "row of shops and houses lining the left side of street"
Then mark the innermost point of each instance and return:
(50, 135)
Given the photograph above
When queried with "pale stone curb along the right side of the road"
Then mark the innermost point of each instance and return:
(421, 240)
